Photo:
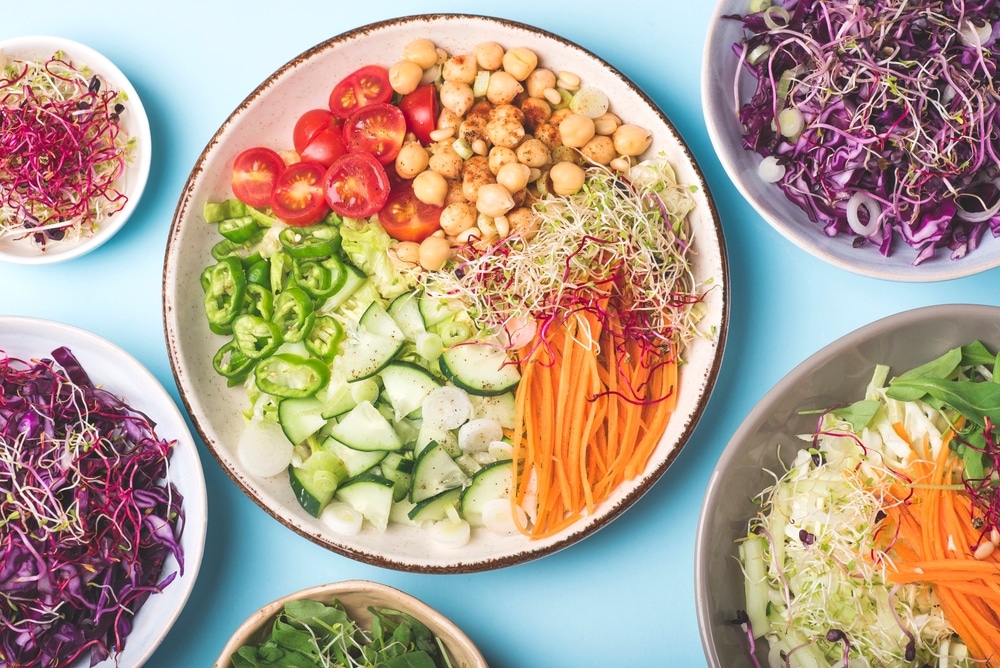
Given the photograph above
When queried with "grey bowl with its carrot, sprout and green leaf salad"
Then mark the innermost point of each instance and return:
(853, 517)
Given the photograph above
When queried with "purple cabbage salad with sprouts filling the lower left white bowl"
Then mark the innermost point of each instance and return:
(88, 516)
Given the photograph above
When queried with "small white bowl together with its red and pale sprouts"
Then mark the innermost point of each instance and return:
(76, 149)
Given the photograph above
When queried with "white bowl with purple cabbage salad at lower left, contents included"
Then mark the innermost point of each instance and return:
(103, 499)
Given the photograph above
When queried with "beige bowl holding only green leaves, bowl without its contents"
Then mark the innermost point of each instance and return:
(356, 596)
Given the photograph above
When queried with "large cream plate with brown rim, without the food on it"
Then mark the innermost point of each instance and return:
(266, 117)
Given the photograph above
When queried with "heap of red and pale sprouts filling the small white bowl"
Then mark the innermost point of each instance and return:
(63, 151)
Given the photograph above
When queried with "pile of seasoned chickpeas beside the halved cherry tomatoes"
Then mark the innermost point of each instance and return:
(492, 154)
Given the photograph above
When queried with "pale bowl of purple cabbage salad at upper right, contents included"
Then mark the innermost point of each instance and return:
(863, 132)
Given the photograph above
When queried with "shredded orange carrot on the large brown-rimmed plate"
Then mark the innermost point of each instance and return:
(590, 414)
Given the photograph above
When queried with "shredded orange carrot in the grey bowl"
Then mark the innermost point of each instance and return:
(935, 547)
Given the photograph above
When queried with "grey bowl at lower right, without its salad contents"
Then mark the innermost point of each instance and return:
(837, 373)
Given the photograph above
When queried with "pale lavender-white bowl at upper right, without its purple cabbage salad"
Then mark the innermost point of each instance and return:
(719, 99)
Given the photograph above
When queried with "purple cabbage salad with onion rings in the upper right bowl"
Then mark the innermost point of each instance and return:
(878, 117)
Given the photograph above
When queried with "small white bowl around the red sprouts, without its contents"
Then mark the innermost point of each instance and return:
(20, 250)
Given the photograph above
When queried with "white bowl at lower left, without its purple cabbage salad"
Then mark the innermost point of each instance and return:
(118, 372)
